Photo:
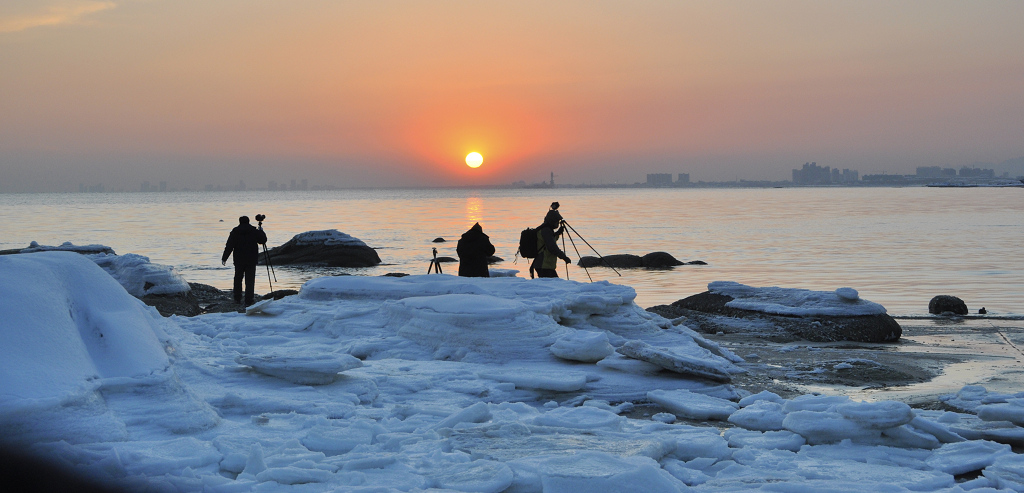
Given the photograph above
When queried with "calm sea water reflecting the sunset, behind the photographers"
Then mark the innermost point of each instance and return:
(899, 248)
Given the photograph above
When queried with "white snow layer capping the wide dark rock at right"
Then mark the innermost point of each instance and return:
(796, 303)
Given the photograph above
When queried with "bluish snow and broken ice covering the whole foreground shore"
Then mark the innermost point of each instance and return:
(442, 383)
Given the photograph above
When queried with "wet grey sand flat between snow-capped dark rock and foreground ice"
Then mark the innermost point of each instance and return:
(934, 357)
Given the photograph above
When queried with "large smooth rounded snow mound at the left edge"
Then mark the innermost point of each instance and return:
(66, 325)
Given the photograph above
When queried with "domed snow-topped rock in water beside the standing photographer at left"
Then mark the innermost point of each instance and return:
(326, 249)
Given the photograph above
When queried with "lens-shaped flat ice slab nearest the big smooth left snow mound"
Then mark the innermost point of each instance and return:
(302, 369)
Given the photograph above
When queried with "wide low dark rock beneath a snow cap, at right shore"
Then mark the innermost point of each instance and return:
(708, 313)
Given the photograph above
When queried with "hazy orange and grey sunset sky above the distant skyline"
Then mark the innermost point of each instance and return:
(397, 94)
